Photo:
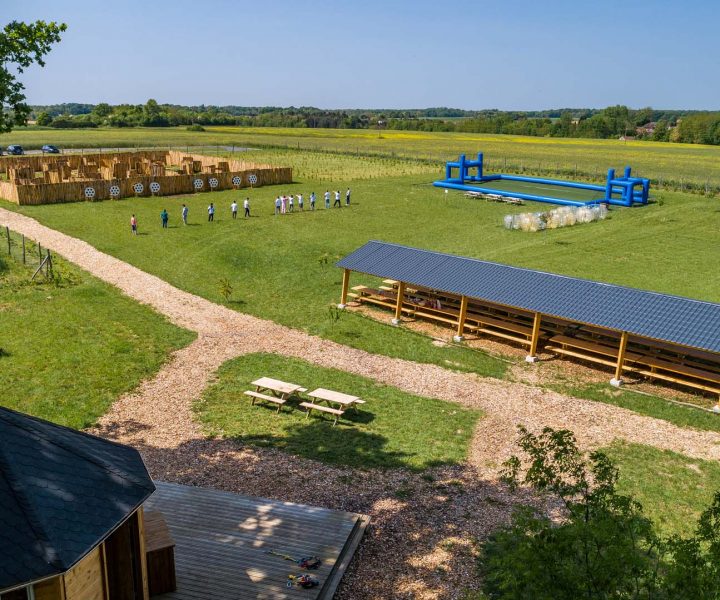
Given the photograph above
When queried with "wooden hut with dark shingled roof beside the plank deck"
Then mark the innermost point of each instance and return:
(71, 514)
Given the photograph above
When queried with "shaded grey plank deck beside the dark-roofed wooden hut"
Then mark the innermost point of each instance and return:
(223, 538)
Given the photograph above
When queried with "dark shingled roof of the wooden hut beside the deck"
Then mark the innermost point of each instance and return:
(61, 493)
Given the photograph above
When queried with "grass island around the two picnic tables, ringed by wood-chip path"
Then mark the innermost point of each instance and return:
(393, 428)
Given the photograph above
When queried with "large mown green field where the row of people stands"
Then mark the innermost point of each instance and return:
(282, 268)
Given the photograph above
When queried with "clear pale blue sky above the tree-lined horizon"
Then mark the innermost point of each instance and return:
(510, 55)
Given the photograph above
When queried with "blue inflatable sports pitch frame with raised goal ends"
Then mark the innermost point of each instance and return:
(619, 191)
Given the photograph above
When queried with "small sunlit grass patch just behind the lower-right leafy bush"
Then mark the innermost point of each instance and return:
(673, 489)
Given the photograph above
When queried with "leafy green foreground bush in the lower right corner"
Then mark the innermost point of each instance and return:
(603, 547)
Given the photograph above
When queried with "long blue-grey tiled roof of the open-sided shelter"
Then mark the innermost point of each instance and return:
(653, 315)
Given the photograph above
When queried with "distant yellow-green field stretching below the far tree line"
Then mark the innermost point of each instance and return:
(680, 164)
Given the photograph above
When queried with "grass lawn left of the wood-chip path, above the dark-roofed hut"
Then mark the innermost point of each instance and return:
(69, 350)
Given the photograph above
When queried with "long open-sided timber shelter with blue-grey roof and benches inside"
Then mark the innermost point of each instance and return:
(658, 336)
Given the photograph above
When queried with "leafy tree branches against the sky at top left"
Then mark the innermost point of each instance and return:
(21, 45)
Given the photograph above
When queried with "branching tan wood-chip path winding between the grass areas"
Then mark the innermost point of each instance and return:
(420, 541)
